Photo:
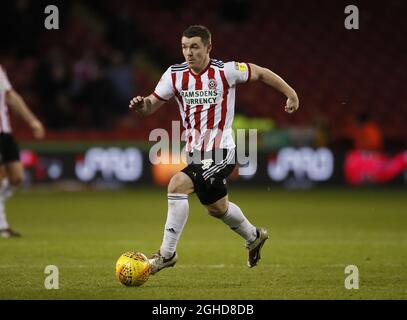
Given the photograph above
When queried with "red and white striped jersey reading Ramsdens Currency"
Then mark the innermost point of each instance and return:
(206, 101)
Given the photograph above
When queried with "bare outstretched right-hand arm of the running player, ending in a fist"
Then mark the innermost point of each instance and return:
(270, 78)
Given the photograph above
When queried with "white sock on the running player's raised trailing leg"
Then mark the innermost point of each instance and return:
(236, 220)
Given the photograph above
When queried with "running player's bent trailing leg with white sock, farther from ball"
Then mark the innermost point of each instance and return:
(233, 216)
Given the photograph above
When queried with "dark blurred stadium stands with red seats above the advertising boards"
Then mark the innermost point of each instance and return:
(79, 79)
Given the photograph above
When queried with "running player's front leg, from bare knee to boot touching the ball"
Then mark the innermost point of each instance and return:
(179, 188)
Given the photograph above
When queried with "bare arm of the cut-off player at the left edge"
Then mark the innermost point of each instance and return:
(18, 105)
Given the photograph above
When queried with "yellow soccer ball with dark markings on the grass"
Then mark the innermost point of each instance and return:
(132, 269)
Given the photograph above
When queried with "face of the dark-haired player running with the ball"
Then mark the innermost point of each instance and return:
(196, 54)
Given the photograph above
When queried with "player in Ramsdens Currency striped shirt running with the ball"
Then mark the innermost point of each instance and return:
(204, 89)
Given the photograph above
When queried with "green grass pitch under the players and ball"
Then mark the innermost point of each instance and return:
(314, 235)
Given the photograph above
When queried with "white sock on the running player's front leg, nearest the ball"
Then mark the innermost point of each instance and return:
(177, 216)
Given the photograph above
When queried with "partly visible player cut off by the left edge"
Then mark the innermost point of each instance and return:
(11, 169)
